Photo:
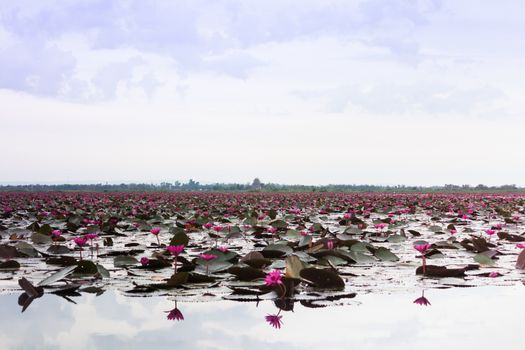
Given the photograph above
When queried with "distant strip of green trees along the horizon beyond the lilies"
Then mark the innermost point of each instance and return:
(255, 186)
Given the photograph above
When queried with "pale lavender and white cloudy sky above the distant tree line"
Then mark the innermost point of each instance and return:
(425, 92)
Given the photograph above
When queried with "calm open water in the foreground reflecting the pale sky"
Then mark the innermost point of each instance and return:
(482, 318)
